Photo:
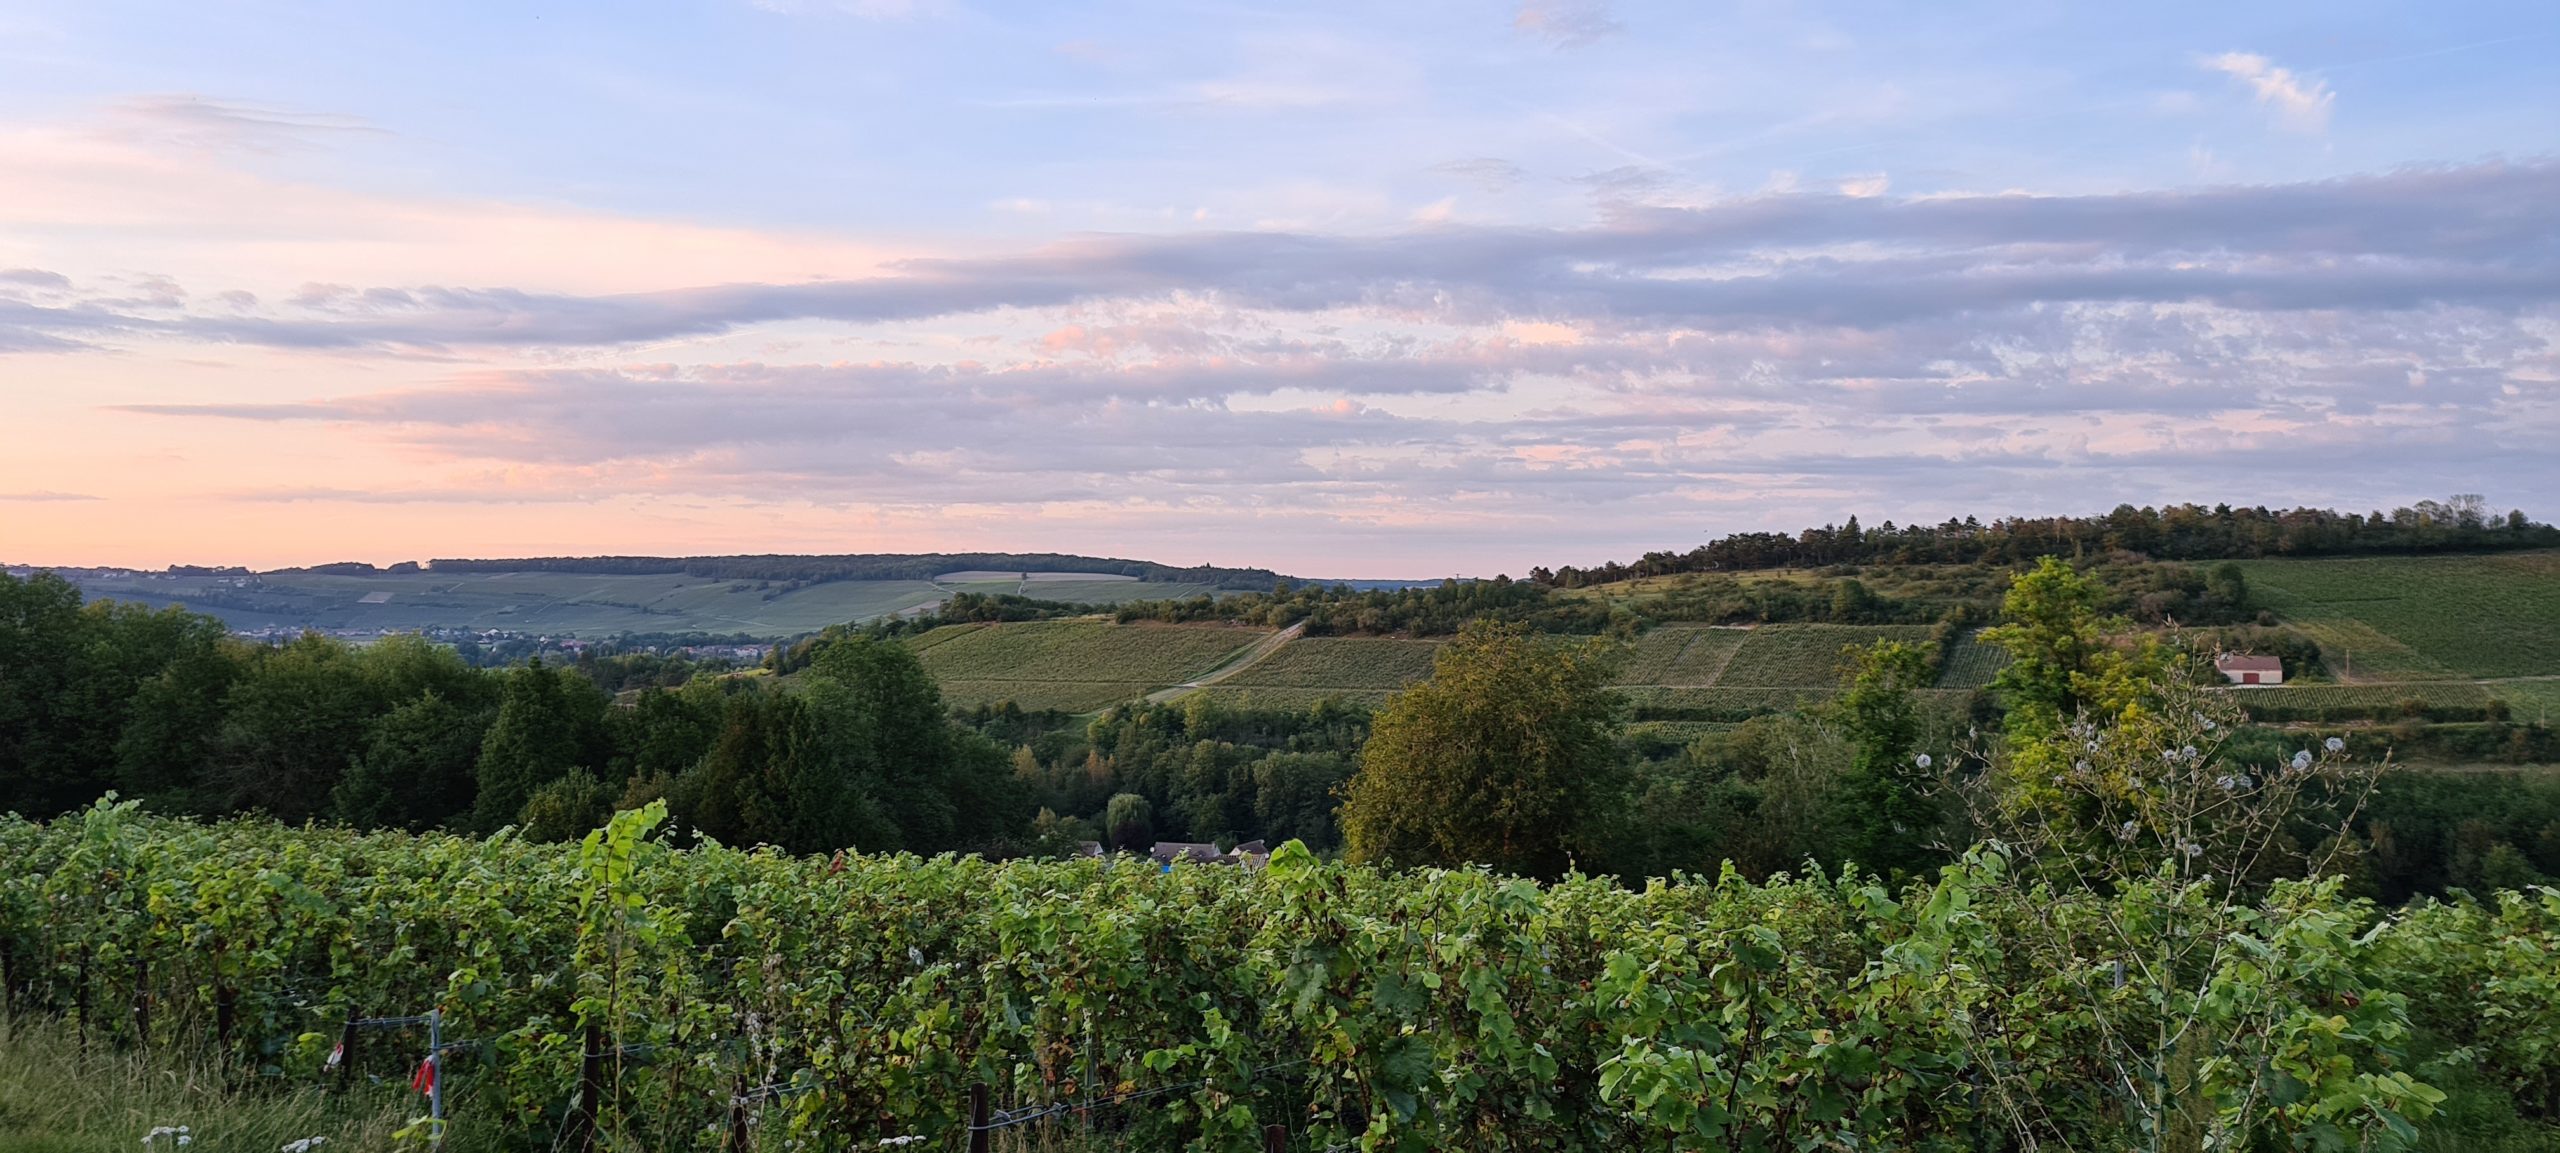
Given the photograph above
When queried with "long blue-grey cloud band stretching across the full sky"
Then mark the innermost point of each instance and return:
(2459, 237)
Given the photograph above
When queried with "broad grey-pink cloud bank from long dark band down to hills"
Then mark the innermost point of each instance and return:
(1788, 355)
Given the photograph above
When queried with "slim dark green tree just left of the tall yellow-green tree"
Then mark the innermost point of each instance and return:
(1885, 811)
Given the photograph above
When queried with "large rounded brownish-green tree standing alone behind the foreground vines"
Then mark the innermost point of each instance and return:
(1496, 760)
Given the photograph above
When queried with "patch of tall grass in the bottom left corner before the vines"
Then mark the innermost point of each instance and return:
(58, 1098)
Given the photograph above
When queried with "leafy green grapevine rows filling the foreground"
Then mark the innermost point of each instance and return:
(713, 998)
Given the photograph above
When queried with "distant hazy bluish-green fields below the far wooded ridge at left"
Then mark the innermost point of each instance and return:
(564, 603)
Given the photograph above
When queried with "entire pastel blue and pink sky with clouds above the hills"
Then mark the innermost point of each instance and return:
(1340, 291)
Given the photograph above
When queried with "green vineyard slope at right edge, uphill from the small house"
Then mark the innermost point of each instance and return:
(2423, 616)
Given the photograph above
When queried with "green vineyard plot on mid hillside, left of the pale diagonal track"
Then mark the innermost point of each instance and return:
(1071, 665)
